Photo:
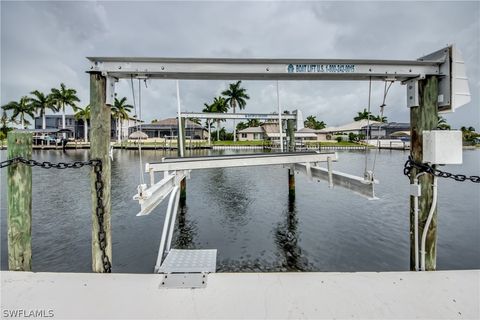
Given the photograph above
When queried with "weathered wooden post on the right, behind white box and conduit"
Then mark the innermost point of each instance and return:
(424, 117)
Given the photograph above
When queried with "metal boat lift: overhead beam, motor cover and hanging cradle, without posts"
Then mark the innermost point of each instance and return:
(446, 64)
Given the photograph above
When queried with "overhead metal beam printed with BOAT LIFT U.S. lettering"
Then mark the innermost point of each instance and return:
(262, 69)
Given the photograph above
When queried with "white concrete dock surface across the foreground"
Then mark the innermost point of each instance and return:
(422, 295)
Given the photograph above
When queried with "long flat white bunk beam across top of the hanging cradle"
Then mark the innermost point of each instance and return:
(232, 161)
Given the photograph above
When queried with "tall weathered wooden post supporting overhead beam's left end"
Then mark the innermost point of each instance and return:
(99, 149)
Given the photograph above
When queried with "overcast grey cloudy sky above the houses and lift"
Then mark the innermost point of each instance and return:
(45, 43)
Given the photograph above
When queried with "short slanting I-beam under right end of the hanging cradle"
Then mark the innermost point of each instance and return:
(353, 183)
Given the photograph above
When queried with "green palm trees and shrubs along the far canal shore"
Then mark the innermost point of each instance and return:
(235, 96)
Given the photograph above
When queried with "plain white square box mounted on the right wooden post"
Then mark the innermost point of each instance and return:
(442, 147)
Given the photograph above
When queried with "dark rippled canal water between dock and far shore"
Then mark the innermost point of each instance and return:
(245, 214)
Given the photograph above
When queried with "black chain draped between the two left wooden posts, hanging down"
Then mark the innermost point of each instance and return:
(96, 164)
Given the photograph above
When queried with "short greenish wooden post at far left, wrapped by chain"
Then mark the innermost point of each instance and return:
(19, 190)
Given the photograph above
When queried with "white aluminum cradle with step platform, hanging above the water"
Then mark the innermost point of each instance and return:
(189, 268)
